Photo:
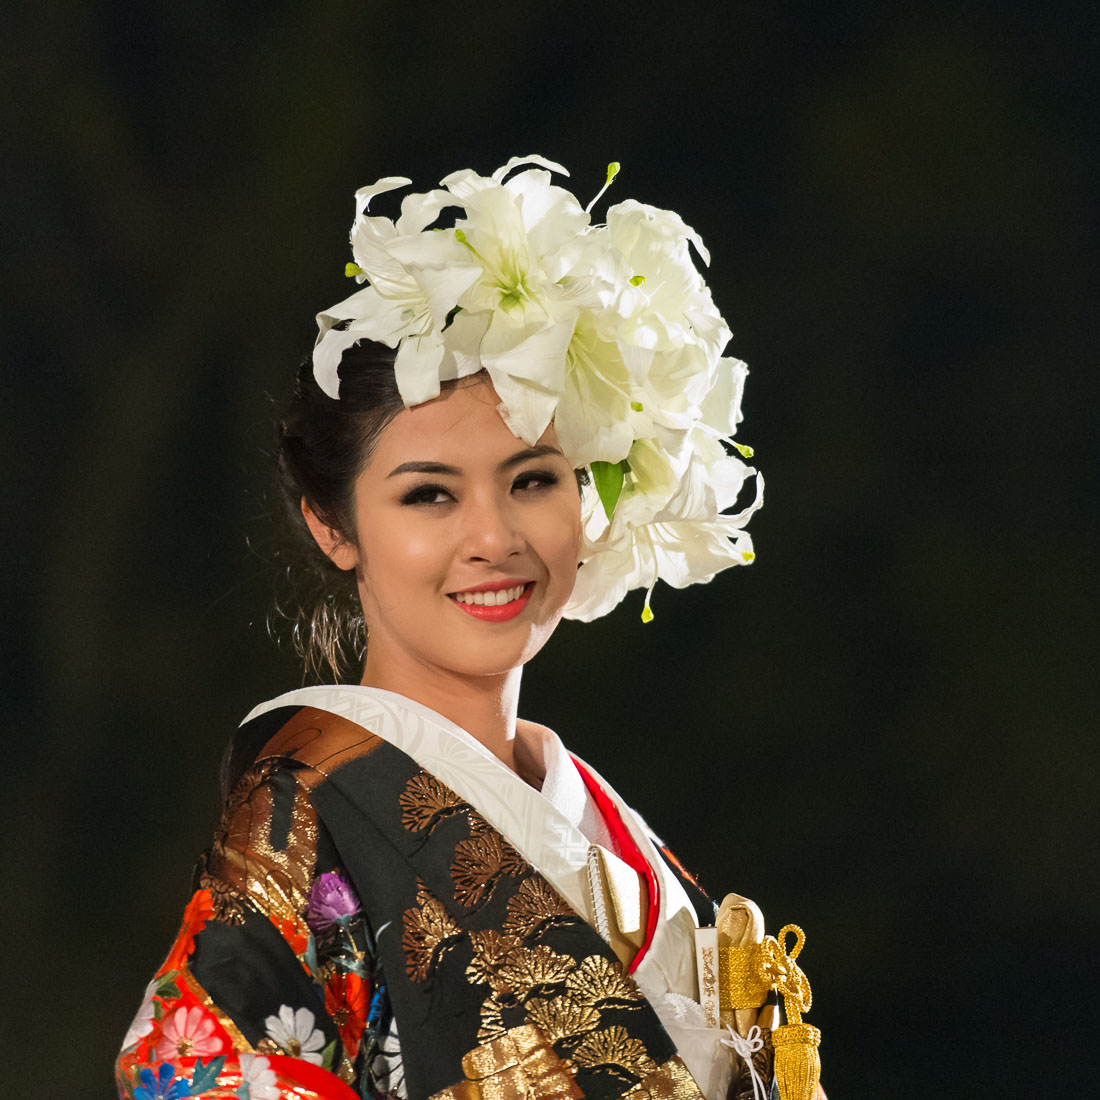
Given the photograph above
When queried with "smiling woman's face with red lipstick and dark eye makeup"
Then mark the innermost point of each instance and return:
(467, 541)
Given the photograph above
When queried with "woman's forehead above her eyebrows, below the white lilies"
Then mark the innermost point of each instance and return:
(461, 428)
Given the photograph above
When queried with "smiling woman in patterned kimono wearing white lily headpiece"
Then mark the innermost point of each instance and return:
(413, 892)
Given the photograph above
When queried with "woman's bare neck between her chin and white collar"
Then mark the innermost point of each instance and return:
(485, 707)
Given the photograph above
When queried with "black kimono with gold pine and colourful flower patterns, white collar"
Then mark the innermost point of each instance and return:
(389, 911)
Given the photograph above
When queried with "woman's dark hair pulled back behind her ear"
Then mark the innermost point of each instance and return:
(323, 447)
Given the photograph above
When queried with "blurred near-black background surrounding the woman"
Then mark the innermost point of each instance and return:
(885, 730)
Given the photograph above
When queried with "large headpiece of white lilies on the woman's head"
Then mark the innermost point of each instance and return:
(609, 331)
